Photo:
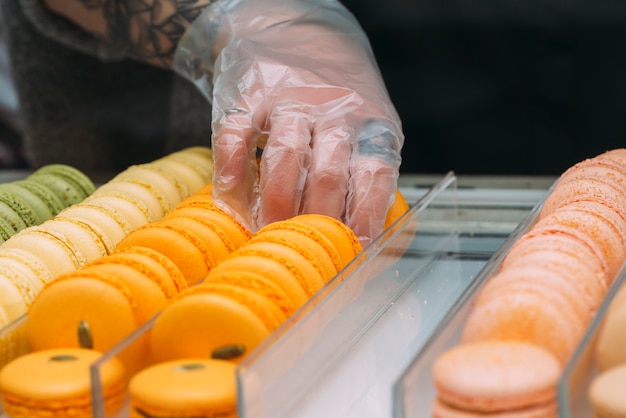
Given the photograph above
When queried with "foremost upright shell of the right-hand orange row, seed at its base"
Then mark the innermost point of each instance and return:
(196, 325)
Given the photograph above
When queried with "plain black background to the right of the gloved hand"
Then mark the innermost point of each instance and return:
(501, 86)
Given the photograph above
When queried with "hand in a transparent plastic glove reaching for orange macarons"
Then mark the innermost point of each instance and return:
(297, 79)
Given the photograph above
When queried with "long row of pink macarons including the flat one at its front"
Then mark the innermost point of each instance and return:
(531, 314)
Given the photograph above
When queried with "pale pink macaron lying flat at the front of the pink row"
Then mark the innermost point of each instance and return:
(495, 377)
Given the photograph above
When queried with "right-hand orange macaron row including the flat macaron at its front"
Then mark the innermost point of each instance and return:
(236, 306)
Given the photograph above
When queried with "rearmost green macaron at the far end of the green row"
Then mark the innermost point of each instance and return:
(68, 183)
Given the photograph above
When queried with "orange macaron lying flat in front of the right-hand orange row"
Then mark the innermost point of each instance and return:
(188, 387)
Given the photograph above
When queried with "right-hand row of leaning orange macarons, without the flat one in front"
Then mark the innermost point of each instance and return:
(242, 300)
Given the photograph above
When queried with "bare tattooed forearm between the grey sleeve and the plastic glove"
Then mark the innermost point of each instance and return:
(149, 31)
